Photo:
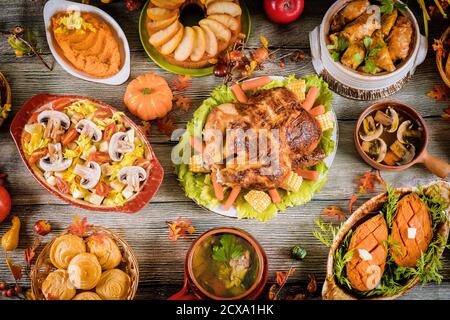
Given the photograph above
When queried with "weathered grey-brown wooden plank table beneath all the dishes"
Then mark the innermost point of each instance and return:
(161, 261)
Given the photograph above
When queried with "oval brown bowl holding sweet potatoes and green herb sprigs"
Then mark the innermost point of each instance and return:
(331, 289)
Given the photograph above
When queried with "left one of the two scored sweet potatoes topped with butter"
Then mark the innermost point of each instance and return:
(366, 266)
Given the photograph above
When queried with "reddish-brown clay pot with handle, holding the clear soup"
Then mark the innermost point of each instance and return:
(192, 290)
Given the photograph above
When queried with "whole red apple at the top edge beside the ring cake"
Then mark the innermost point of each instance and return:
(283, 11)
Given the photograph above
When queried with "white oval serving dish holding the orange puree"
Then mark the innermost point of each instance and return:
(54, 6)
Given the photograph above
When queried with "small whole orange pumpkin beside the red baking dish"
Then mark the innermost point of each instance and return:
(148, 97)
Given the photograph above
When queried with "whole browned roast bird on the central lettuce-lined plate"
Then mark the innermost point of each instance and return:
(284, 137)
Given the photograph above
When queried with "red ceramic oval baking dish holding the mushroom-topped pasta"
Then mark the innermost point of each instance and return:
(136, 203)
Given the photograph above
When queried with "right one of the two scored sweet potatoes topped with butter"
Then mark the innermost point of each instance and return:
(411, 230)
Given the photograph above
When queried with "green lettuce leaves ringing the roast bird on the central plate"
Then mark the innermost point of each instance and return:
(198, 186)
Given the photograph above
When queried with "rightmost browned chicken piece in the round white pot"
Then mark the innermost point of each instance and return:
(400, 38)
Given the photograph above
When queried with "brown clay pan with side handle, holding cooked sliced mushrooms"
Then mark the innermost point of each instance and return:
(437, 166)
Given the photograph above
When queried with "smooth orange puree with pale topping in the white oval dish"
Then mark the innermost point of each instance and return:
(87, 43)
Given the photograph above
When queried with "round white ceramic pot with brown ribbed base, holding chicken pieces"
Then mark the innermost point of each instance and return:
(352, 84)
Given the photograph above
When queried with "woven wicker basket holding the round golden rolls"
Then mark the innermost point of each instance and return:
(129, 263)
